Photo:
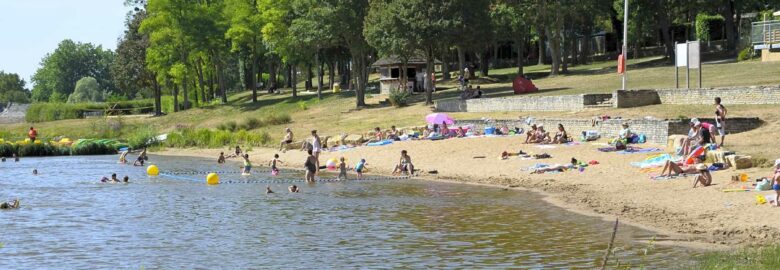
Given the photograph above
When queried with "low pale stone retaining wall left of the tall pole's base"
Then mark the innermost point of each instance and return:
(522, 103)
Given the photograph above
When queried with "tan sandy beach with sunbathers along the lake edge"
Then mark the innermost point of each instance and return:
(694, 216)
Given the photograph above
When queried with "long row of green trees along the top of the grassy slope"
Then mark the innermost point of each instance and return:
(198, 50)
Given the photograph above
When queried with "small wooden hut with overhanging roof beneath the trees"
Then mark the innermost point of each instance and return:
(389, 69)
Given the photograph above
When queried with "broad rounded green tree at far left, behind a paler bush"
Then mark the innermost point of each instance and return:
(56, 79)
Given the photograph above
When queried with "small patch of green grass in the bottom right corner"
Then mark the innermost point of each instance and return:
(747, 258)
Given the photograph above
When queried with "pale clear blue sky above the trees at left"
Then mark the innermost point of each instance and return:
(29, 29)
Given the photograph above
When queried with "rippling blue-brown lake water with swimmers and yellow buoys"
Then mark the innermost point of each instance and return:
(70, 220)
